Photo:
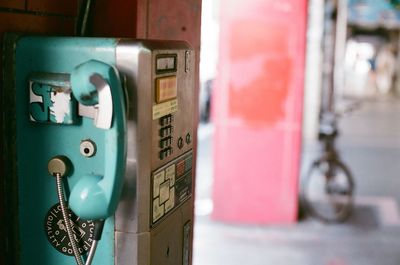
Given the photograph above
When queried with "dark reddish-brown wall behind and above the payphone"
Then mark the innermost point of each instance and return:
(154, 19)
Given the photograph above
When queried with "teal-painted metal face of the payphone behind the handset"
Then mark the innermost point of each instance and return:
(38, 142)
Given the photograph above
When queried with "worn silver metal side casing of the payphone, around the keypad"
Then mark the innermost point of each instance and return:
(135, 241)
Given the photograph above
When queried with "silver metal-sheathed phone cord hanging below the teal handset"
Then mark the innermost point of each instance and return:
(97, 230)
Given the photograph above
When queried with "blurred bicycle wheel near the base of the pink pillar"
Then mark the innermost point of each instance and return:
(327, 191)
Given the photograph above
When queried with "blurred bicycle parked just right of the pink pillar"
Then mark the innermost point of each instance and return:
(326, 191)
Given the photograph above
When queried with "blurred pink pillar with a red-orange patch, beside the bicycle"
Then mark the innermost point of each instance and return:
(257, 110)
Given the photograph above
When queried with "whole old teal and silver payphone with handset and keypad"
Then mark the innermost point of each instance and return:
(98, 144)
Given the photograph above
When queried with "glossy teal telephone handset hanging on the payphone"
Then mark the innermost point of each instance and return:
(96, 84)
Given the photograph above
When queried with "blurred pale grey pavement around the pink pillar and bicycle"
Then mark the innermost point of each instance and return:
(370, 145)
